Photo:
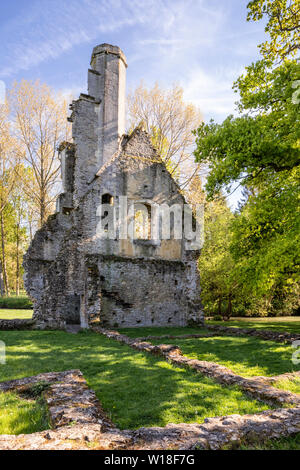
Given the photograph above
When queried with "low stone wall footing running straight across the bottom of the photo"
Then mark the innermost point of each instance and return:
(214, 433)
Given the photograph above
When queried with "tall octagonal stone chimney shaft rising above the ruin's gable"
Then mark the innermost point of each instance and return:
(106, 83)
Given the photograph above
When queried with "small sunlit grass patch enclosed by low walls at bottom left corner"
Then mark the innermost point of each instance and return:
(19, 416)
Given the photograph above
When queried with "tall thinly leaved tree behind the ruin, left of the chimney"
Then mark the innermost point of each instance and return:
(40, 124)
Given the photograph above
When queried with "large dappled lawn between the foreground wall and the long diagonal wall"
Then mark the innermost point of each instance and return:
(136, 389)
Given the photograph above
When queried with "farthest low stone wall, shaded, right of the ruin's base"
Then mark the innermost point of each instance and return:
(263, 334)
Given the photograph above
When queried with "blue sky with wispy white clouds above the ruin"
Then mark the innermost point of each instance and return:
(202, 45)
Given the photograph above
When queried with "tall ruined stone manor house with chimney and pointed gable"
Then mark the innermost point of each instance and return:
(77, 276)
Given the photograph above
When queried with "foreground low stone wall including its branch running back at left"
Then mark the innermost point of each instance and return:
(81, 424)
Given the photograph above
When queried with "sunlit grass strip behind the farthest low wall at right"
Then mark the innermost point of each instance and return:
(282, 324)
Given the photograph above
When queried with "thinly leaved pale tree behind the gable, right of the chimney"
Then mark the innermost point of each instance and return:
(170, 122)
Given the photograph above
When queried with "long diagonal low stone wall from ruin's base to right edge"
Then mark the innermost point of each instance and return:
(254, 387)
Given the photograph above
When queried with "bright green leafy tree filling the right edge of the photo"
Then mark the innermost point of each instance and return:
(260, 150)
